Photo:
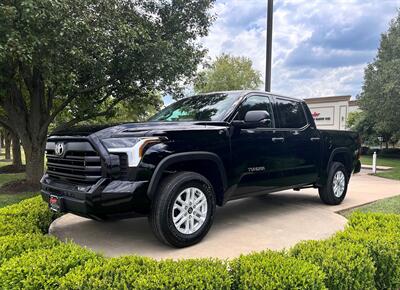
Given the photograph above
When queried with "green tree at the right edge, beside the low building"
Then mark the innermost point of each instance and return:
(380, 97)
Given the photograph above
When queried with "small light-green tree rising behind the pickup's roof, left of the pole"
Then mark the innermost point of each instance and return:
(228, 73)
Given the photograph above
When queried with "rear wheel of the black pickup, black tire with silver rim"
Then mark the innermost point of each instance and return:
(327, 193)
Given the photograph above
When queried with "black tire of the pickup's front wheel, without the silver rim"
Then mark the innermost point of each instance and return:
(170, 191)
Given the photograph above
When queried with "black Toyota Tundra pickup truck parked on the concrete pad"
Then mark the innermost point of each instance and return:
(197, 153)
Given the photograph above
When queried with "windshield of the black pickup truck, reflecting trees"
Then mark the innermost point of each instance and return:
(210, 107)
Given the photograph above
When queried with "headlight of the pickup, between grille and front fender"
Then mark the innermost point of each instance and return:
(133, 147)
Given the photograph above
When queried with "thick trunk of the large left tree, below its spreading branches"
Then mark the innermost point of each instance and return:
(34, 152)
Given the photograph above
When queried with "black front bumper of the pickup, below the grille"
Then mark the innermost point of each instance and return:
(102, 200)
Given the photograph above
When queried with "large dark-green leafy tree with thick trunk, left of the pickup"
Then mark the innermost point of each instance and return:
(85, 57)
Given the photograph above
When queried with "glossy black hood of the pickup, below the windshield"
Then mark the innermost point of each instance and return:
(138, 129)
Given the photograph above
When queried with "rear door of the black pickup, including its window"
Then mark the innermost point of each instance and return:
(302, 143)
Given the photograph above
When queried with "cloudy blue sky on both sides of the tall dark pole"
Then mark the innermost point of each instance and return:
(320, 47)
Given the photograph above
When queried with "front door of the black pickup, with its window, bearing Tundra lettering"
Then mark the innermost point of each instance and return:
(256, 153)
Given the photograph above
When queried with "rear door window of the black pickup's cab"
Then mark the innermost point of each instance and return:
(291, 114)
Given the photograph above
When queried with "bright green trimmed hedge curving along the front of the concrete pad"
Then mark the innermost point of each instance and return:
(366, 255)
